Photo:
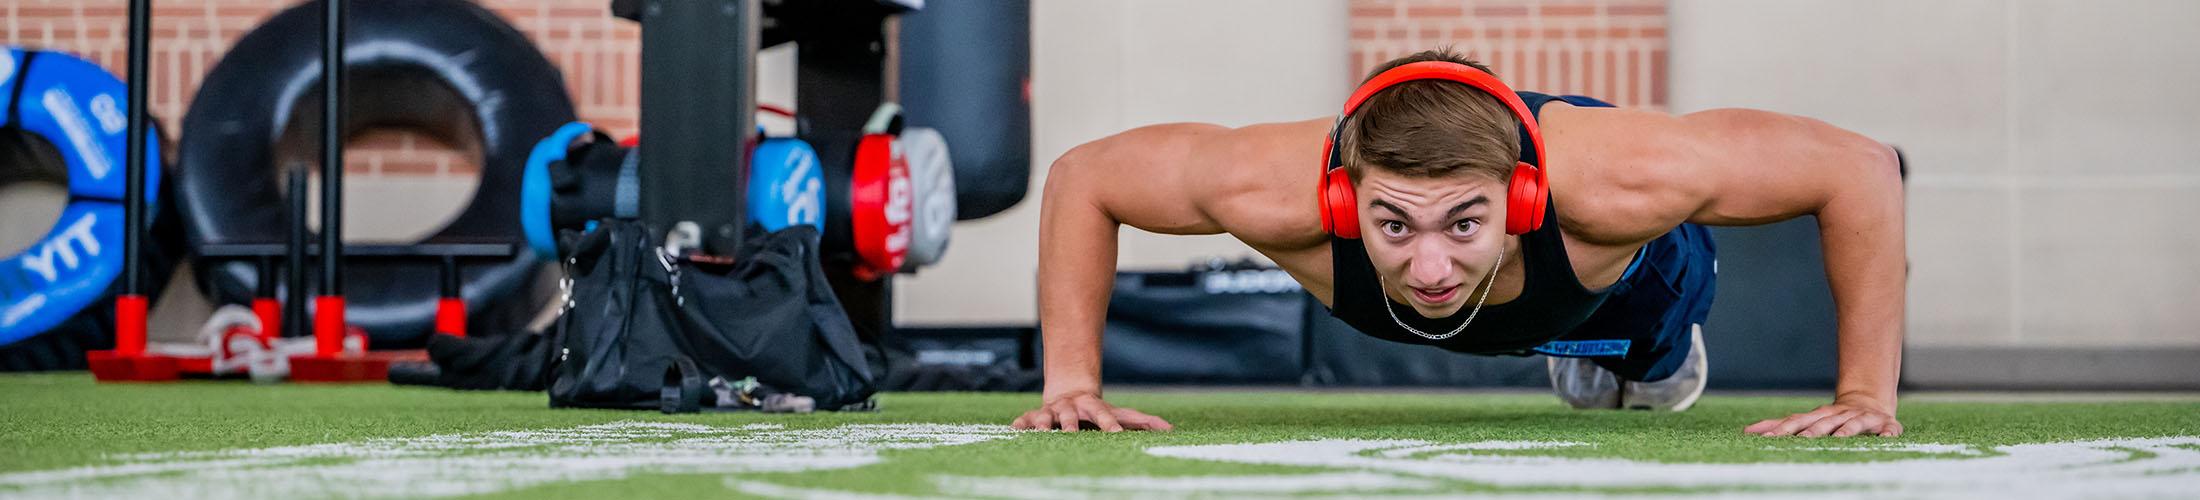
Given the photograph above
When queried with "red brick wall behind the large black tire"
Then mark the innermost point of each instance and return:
(597, 54)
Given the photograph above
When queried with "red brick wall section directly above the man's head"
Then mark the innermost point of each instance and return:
(1607, 50)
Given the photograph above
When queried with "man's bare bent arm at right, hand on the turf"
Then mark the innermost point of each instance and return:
(1752, 169)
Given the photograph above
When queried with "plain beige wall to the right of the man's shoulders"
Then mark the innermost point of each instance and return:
(2056, 149)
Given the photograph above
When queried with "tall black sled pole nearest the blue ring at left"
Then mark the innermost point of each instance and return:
(135, 153)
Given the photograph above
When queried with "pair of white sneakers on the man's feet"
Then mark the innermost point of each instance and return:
(1587, 387)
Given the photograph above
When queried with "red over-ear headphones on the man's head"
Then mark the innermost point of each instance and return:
(1526, 202)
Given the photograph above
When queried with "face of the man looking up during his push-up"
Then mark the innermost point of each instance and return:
(1431, 239)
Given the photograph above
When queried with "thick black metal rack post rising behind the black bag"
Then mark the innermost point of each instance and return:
(698, 113)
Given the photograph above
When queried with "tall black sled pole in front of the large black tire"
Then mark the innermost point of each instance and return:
(331, 149)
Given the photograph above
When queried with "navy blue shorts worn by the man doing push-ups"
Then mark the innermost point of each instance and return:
(1642, 331)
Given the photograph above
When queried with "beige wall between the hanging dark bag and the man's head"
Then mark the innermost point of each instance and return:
(1108, 67)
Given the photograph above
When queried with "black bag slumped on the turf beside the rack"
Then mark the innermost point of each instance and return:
(681, 334)
